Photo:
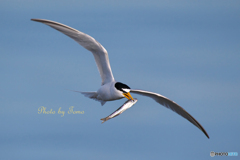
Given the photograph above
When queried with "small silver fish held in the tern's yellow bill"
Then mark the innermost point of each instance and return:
(128, 104)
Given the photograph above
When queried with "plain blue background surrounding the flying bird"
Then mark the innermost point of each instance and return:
(188, 51)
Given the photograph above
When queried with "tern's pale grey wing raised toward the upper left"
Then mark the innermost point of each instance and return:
(99, 52)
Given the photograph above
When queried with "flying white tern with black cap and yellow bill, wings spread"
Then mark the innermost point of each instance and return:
(110, 89)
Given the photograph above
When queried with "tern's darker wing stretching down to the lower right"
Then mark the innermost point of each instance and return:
(171, 105)
